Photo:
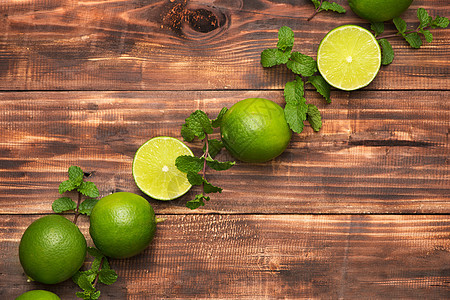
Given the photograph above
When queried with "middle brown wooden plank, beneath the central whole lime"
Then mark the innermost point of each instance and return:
(378, 152)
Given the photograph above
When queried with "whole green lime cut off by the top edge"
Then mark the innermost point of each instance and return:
(379, 10)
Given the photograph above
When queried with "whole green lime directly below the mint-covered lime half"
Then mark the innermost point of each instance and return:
(122, 224)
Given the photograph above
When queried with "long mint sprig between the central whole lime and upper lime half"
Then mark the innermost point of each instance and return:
(296, 109)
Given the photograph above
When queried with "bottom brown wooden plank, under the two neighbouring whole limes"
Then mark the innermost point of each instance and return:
(268, 256)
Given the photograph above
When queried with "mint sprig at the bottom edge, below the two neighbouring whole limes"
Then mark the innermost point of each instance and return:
(100, 271)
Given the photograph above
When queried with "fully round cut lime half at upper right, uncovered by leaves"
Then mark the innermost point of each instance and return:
(349, 57)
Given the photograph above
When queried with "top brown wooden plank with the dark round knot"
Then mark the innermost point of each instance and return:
(156, 45)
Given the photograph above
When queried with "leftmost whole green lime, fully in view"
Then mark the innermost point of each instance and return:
(52, 249)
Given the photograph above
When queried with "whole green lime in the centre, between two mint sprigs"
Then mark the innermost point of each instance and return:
(255, 130)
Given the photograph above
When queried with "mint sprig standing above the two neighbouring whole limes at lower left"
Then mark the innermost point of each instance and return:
(76, 182)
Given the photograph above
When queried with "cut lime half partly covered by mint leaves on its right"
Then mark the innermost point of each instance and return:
(154, 169)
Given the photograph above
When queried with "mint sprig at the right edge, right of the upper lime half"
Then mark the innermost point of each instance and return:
(413, 37)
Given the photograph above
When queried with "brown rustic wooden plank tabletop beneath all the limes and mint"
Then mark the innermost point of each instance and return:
(359, 210)
